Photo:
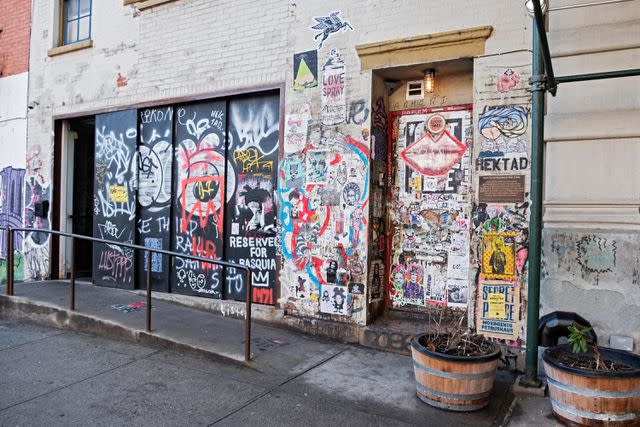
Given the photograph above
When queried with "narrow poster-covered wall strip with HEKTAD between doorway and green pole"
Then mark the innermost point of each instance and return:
(500, 218)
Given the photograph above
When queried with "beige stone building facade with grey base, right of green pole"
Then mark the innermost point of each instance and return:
(592, 186)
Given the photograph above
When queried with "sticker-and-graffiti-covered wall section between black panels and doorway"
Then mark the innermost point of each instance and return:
(324, 180)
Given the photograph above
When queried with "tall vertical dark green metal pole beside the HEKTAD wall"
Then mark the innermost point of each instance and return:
(535, 221)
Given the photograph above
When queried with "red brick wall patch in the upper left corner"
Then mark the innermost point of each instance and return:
(15, 16)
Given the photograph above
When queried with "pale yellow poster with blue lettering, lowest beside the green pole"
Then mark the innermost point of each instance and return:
(498, 309)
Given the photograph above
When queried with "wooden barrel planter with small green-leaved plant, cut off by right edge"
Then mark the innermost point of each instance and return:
(594, 398)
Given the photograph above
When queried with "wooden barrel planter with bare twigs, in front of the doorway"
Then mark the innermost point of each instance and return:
(455, 383)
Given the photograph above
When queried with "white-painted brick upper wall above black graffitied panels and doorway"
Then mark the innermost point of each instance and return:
(191, 47)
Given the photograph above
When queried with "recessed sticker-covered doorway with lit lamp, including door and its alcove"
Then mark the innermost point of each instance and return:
(427, 183)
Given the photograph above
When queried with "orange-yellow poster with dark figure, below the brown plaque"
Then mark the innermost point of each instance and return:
(499, 255)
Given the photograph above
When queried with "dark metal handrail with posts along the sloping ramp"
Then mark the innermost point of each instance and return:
(10, 231)
